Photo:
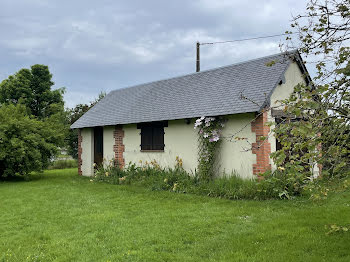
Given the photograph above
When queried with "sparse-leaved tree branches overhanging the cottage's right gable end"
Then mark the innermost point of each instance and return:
(321, 135)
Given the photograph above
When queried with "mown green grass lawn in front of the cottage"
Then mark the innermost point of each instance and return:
(59, 216)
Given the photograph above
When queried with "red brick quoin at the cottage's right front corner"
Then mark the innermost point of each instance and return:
(262, 148)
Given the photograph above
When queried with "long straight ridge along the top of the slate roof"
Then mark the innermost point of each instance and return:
(205, 71)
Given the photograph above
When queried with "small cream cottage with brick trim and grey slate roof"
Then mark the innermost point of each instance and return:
(155, 121)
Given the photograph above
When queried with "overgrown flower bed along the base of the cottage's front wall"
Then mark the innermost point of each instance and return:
(278, 185)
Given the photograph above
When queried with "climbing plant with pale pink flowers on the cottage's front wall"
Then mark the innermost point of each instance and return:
(209, 135)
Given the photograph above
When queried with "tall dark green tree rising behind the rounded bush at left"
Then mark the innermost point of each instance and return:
(33, 88)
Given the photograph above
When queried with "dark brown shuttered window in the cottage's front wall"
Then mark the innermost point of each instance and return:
(152, 136)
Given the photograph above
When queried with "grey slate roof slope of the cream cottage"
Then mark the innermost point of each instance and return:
(208, 93)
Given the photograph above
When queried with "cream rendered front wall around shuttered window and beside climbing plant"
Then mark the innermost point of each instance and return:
(182, 140)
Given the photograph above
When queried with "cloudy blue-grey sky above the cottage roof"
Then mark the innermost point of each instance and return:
(93, 46)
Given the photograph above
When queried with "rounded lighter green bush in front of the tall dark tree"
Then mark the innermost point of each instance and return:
(26, 143)
